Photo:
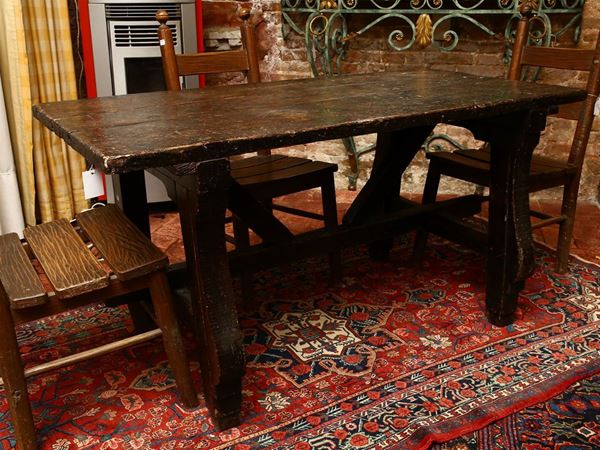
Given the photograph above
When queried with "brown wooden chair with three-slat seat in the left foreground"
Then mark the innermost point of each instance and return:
(78, 278)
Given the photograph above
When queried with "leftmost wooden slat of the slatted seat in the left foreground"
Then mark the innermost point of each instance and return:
(17, 275)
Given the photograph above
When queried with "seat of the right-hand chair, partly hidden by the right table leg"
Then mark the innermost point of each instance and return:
(474, 165)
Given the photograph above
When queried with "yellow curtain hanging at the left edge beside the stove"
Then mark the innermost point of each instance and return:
(37, 63)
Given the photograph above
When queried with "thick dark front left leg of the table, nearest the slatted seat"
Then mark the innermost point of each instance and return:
(221, 353)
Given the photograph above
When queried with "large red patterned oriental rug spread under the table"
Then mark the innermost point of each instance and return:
(394, 358)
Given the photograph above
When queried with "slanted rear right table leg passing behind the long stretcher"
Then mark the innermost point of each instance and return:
(394, 152)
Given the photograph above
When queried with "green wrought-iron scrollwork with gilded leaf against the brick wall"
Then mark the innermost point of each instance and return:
(422, 23)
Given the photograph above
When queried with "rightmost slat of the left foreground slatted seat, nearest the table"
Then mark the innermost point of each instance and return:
(128, 252)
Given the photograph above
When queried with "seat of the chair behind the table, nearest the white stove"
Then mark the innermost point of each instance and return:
(268, 176)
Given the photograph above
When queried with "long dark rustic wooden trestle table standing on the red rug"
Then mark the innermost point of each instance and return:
(123, 135)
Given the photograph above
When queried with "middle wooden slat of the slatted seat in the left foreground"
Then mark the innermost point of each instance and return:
(70, 266)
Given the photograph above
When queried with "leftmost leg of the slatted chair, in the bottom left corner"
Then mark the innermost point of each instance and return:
(15, 386)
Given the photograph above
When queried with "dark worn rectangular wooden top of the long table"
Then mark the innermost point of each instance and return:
(138, 131)
